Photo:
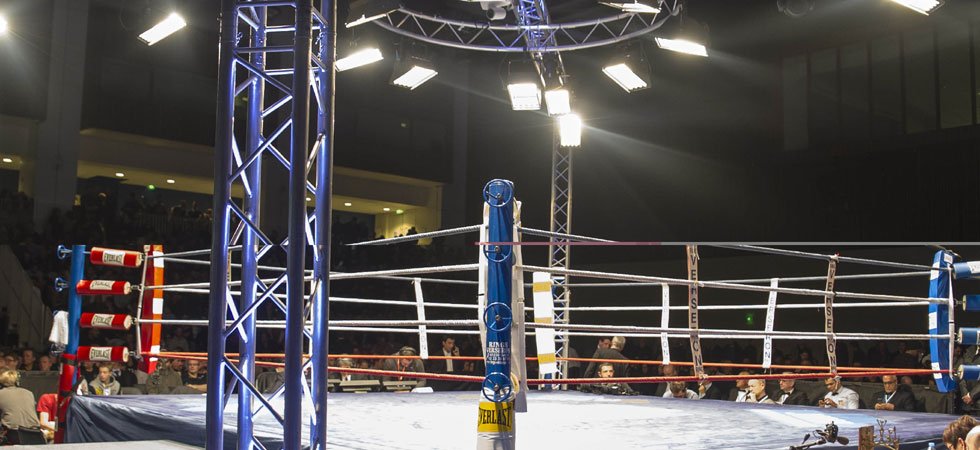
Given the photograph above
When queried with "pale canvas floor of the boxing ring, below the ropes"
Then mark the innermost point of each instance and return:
(555, 420)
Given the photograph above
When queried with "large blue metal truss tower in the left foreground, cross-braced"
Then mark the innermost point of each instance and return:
(274, 71)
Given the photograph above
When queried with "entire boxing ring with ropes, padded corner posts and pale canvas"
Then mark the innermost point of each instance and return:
(549, 417)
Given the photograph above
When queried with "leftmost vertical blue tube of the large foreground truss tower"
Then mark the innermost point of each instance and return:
(224, 139)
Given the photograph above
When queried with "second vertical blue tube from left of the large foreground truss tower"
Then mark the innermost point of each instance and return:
(250, 241)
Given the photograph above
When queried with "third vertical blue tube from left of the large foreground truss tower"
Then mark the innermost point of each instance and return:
(296, 251)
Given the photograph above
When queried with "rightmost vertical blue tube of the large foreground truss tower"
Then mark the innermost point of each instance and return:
(326, 82)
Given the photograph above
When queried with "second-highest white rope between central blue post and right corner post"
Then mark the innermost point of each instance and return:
(720, 285)
